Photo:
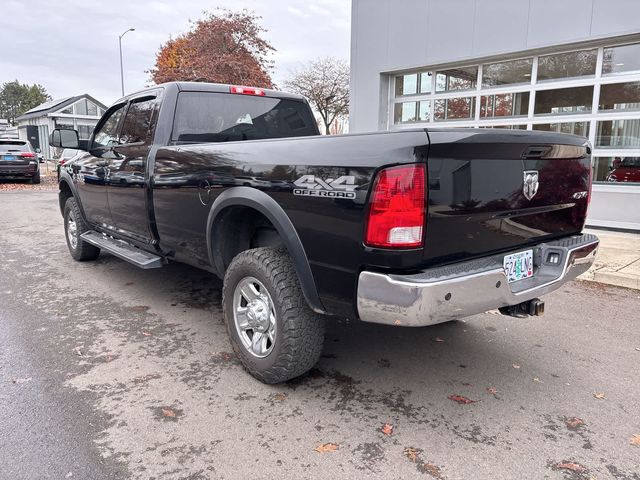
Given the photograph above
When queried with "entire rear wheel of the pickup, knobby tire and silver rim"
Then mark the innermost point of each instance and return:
(272, 329)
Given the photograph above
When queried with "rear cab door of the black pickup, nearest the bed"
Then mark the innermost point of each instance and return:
(127, 182)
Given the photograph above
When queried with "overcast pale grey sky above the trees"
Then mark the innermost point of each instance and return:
(71, 46)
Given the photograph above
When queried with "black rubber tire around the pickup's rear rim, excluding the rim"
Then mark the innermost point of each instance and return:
(299, 332)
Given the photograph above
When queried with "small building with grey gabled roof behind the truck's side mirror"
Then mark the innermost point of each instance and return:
(80, 113)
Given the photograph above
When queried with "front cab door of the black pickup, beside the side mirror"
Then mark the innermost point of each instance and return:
(91, 170)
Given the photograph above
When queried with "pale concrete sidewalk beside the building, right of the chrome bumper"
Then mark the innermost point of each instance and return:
(618, 259)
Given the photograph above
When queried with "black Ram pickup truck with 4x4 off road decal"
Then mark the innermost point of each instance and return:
(407, 228)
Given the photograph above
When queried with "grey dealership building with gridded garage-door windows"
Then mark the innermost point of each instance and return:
(565, 66)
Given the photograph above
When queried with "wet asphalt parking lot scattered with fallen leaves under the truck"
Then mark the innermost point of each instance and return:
(107, 371)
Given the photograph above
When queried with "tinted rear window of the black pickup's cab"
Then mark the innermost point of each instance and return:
(203, 117)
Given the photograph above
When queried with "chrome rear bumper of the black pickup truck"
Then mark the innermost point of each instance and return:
(446, 293)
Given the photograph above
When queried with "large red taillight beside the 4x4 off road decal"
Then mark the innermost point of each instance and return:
(397, 208)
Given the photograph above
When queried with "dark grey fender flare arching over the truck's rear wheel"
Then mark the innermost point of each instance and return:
(263, 203)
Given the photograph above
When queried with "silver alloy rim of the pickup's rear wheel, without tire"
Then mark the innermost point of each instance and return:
(254, 317)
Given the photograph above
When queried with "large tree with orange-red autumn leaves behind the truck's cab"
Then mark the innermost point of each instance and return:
(223, 47)
